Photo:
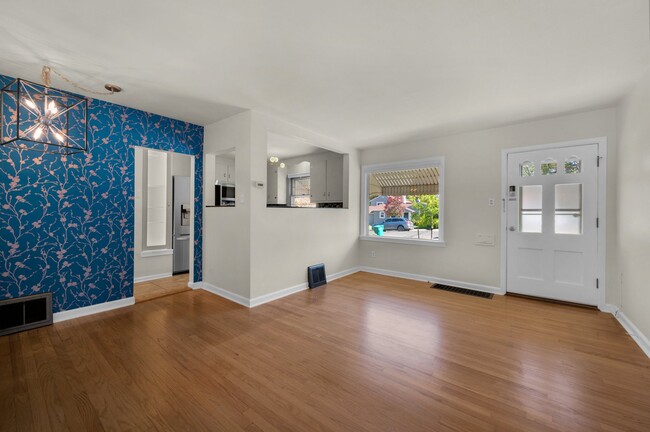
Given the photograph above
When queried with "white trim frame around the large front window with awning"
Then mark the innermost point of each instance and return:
(366, 170)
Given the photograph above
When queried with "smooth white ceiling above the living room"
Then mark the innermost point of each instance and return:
(366, 72)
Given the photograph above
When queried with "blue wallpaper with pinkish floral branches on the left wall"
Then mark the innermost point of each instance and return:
(66, 222)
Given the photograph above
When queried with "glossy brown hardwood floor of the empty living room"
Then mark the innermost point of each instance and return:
(364, 353)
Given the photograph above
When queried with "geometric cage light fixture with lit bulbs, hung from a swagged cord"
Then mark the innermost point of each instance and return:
(39, 117)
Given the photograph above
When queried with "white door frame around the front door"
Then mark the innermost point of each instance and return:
(601, 259)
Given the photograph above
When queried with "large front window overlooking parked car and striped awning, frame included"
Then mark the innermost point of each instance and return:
(404, 202)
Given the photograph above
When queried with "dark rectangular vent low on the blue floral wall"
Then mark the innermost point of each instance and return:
(24, 313)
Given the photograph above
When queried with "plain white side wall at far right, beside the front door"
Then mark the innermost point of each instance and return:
(634, 205)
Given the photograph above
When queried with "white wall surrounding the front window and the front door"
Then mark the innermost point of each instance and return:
(472, 176)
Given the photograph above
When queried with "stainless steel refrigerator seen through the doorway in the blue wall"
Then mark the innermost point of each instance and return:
(182, 217)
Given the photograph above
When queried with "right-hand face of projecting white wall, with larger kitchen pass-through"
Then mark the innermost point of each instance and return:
(284, 241)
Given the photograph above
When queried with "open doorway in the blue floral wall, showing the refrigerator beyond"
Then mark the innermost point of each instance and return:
(163, 222)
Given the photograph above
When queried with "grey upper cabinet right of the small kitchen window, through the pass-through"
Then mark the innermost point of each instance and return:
(327, 179)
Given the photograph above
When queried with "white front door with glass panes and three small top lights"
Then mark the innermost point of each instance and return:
(552, 236)
